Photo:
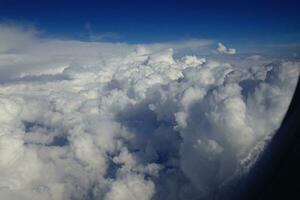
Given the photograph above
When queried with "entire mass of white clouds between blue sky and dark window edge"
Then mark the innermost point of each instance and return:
(82, 120)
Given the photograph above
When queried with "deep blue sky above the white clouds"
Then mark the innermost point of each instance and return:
(249, 23)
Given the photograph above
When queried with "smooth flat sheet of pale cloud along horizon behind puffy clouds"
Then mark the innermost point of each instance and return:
(23, 52)
